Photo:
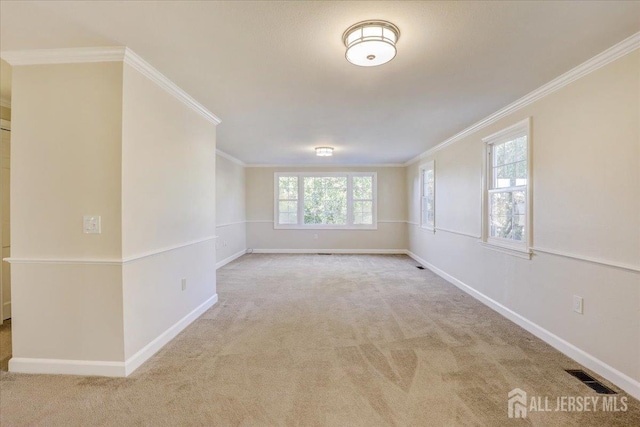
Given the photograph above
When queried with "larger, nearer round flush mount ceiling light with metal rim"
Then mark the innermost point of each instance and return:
(371, 43)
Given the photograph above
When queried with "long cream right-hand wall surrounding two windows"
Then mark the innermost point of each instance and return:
(586, 199)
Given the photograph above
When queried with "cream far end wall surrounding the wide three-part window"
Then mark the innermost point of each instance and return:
(391, 234)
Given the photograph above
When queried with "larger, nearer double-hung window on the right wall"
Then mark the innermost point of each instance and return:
(507, 198)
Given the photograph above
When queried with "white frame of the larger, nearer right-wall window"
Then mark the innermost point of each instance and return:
(522, 249)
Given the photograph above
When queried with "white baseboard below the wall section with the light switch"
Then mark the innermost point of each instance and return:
(26, 365)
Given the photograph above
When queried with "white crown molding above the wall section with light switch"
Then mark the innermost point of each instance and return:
(64, 56)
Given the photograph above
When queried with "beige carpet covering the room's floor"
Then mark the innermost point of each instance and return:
(338, 340)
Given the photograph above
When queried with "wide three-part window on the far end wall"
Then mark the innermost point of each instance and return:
(325, 200)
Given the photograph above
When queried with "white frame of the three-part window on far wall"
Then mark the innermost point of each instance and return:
(300, 225)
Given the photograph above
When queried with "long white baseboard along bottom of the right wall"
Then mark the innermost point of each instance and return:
(618, 378)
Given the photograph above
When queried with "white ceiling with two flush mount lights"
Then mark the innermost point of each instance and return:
(275, 72)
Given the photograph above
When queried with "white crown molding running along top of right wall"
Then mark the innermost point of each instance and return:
(615, 52)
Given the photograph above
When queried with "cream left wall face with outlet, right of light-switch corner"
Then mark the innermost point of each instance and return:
(168, 213)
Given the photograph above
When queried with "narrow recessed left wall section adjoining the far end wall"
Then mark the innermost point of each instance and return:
(230, 211)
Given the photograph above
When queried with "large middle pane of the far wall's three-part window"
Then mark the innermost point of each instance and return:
(325, 200)
